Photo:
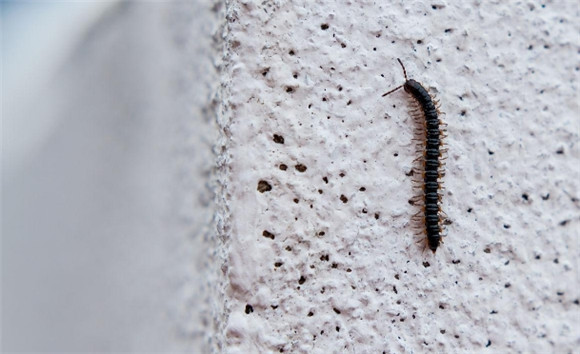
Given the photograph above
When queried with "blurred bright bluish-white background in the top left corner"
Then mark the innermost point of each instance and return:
(37, 37)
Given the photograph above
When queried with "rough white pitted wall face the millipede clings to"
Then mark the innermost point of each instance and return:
(321, 255)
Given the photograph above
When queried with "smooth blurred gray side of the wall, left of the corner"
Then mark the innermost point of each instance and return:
(107, 221)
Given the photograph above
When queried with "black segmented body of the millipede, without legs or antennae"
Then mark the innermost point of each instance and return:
(431, 162)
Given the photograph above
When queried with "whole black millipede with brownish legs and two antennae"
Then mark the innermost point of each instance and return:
(430, 134)
